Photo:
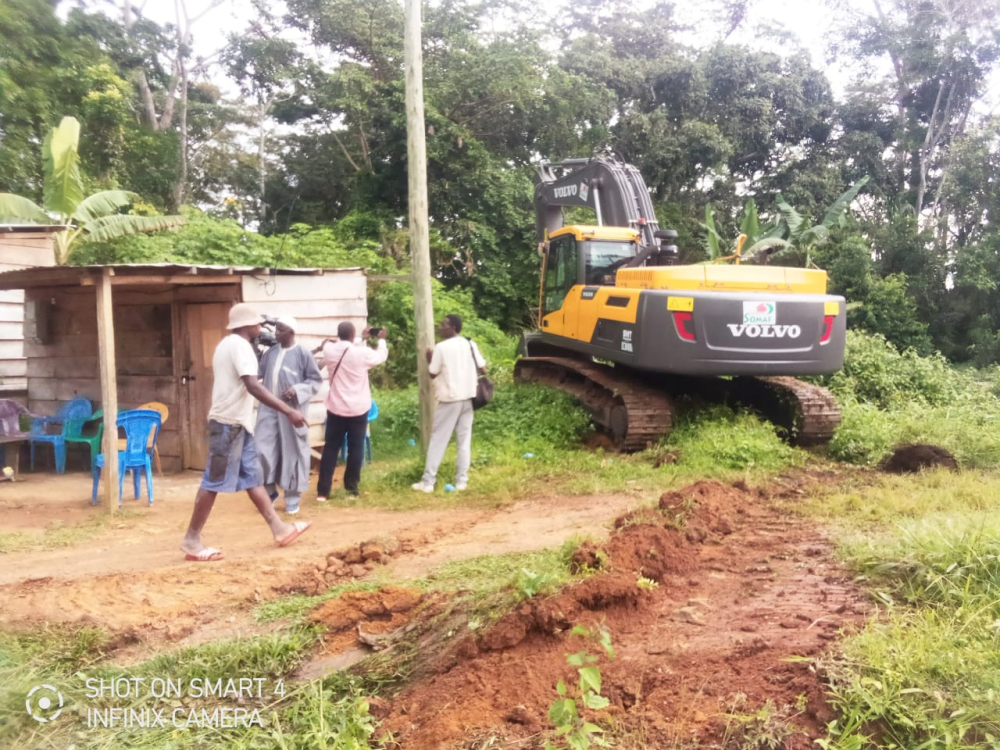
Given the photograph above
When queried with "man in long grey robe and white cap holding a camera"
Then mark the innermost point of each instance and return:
(289, 371)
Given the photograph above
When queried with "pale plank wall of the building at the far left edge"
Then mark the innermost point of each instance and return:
(17, 250)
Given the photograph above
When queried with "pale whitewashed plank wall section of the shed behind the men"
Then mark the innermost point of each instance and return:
(319, 303)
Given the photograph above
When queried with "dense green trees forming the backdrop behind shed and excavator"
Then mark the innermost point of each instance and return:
(755, 137)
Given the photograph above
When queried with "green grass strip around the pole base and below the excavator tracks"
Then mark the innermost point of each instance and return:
(528, 443)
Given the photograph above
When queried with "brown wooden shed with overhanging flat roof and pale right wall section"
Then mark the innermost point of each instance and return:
(155, 327)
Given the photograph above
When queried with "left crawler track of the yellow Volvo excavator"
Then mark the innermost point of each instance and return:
(633, 413)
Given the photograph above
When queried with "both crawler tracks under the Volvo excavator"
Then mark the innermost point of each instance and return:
(637, 413)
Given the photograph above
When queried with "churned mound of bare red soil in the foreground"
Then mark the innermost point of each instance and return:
(741, 589)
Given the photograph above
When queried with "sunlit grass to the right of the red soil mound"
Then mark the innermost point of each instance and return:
(924, 674)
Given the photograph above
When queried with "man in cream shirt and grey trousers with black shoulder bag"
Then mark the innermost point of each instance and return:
(455, 365)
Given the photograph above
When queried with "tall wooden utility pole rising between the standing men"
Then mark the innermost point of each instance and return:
(420, 245)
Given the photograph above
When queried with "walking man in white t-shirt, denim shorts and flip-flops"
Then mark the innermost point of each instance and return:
(232, 464)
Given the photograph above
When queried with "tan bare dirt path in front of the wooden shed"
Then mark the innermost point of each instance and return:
(131, 577)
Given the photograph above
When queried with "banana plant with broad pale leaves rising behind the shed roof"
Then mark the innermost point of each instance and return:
(92, 217)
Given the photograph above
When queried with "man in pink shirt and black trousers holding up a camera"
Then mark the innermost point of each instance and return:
(348, 361)
